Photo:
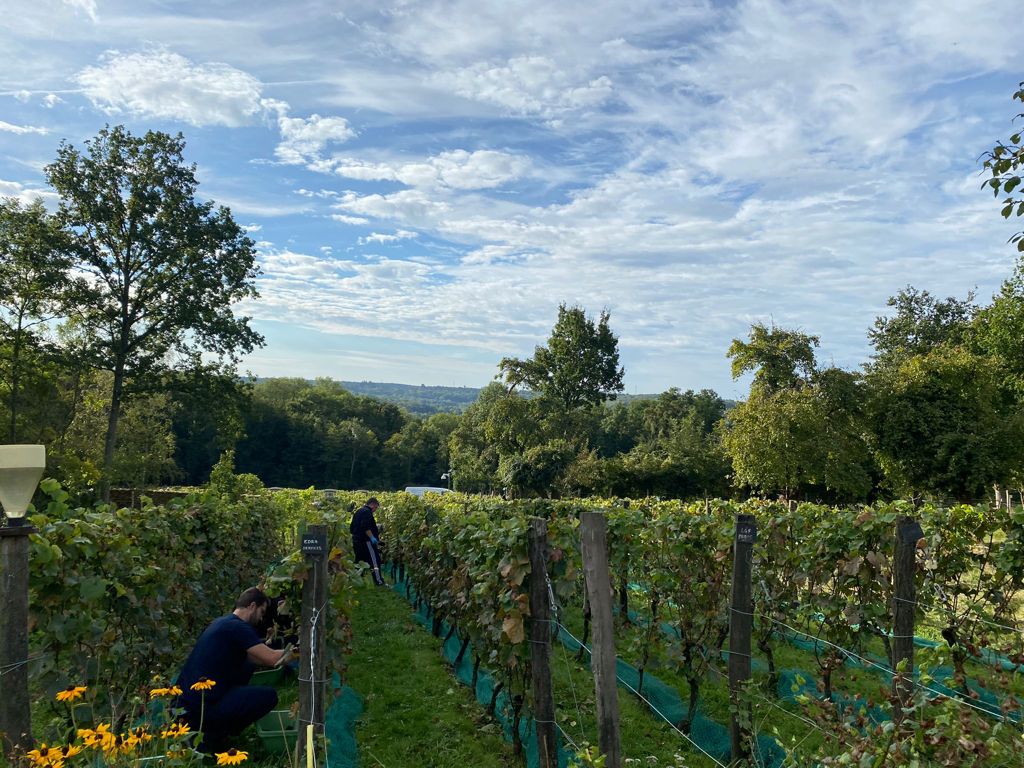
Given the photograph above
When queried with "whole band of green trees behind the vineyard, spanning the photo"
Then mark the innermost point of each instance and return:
(119, 347)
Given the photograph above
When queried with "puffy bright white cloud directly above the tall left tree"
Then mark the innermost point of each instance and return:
(167, 87)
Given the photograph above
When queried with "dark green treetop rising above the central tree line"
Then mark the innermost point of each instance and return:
(578, 367)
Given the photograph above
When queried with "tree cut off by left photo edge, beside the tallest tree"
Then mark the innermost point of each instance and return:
(34, 280)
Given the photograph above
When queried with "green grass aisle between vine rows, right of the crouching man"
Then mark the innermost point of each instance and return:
(415, 712)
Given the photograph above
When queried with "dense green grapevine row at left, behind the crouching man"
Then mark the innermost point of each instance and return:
(144, 583)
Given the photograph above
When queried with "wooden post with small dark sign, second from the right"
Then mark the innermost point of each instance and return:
(741, 627)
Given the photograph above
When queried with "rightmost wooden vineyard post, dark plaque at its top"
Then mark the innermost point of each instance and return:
(905, 601)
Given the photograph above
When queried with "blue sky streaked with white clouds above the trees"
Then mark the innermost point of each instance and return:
(429, 181)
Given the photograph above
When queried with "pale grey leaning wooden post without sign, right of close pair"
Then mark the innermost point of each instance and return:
(594, 539)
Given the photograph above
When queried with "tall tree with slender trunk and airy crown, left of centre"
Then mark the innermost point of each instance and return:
(165, 269)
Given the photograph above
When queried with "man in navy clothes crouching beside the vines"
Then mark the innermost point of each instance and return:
(228, 654)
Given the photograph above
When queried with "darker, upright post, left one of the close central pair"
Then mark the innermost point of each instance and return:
(540, 646)
